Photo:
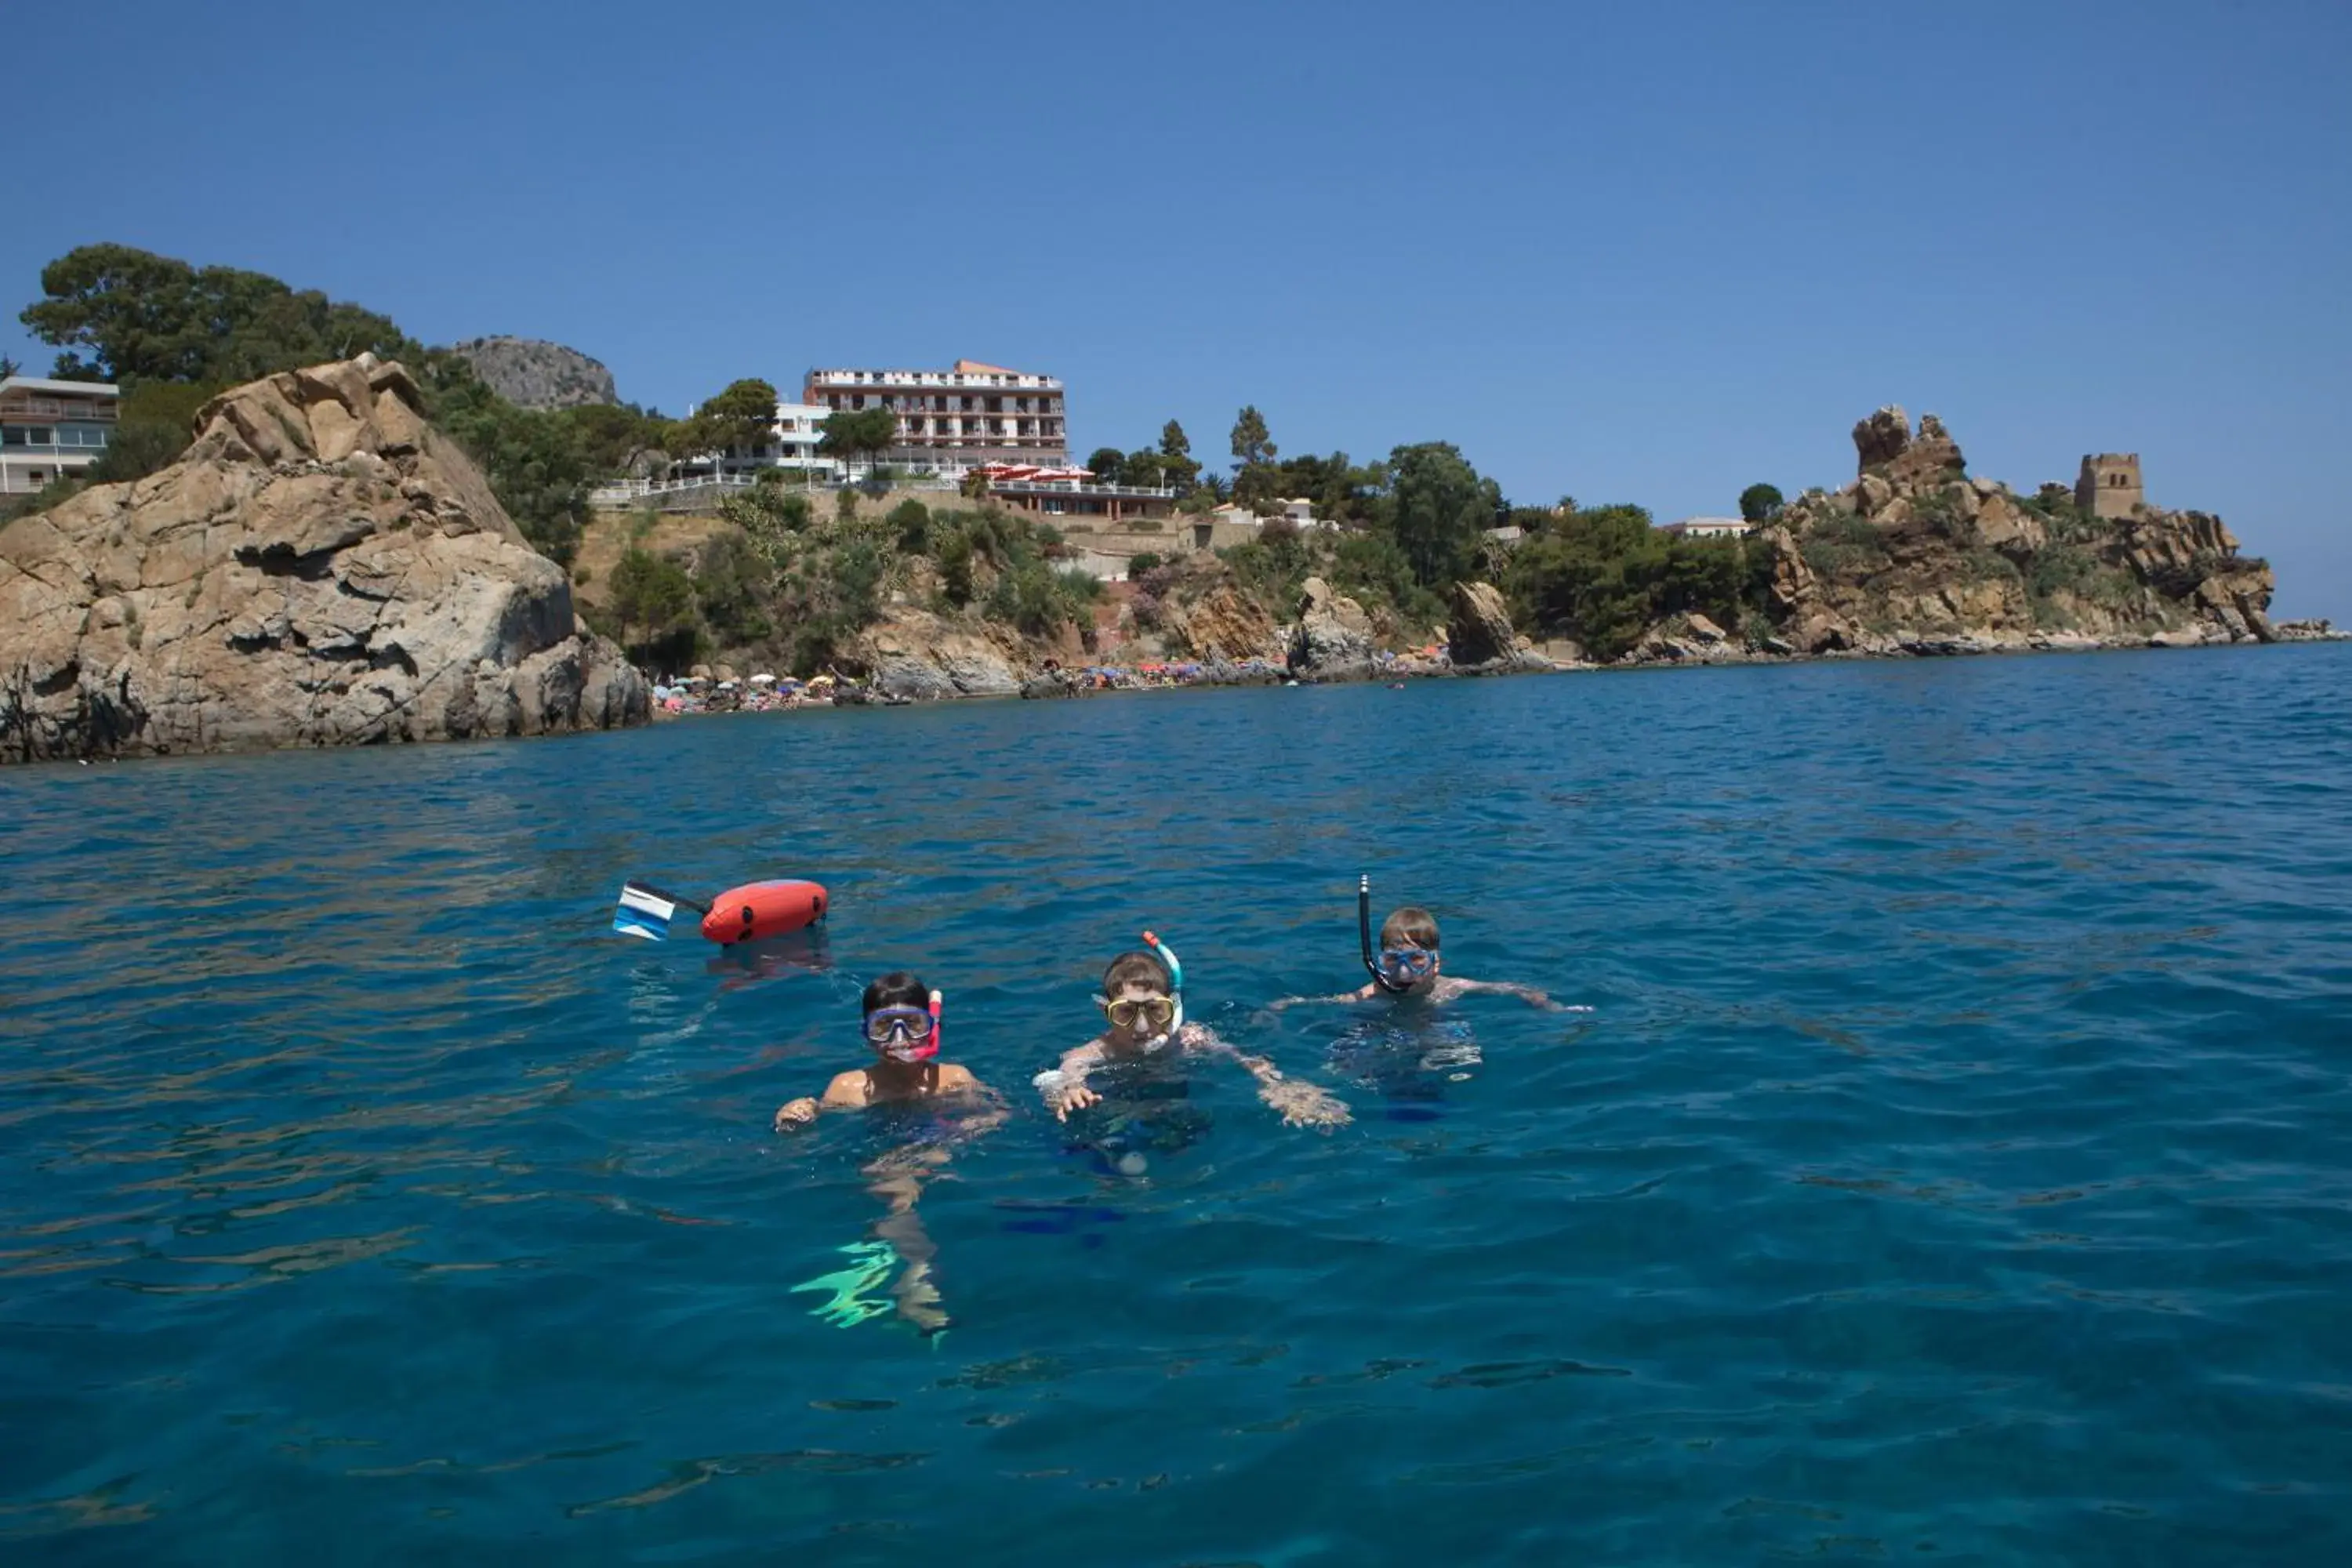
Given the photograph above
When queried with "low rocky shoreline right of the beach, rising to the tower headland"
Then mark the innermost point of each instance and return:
(1913, 558)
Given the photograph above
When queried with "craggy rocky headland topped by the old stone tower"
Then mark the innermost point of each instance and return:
(1916, 556)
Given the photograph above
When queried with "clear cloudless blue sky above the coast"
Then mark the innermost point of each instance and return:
(1617, 253)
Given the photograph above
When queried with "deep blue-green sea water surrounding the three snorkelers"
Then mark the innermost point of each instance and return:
(1956, 1165)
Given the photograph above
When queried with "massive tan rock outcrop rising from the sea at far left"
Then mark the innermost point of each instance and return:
(321, 568)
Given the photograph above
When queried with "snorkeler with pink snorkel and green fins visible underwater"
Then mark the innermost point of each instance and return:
(902, 1026)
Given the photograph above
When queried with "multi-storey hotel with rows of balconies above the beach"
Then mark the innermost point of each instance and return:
(958, 417)
